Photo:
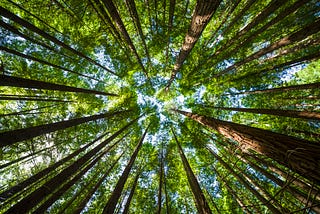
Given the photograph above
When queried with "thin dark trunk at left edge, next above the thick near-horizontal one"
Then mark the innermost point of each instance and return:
(44, 62)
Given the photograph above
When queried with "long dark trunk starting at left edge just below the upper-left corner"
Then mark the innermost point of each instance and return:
(4, 12)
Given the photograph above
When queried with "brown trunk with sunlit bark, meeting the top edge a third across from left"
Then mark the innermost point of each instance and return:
(117, 19)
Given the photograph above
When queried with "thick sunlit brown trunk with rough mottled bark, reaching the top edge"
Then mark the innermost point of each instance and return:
(200, 18)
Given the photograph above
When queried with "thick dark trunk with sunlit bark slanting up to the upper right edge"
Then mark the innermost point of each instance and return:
(299, 35)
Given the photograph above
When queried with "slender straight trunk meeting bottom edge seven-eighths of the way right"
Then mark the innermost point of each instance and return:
(245, 184)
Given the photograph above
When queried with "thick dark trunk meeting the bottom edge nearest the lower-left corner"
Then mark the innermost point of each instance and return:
(27, 203)
